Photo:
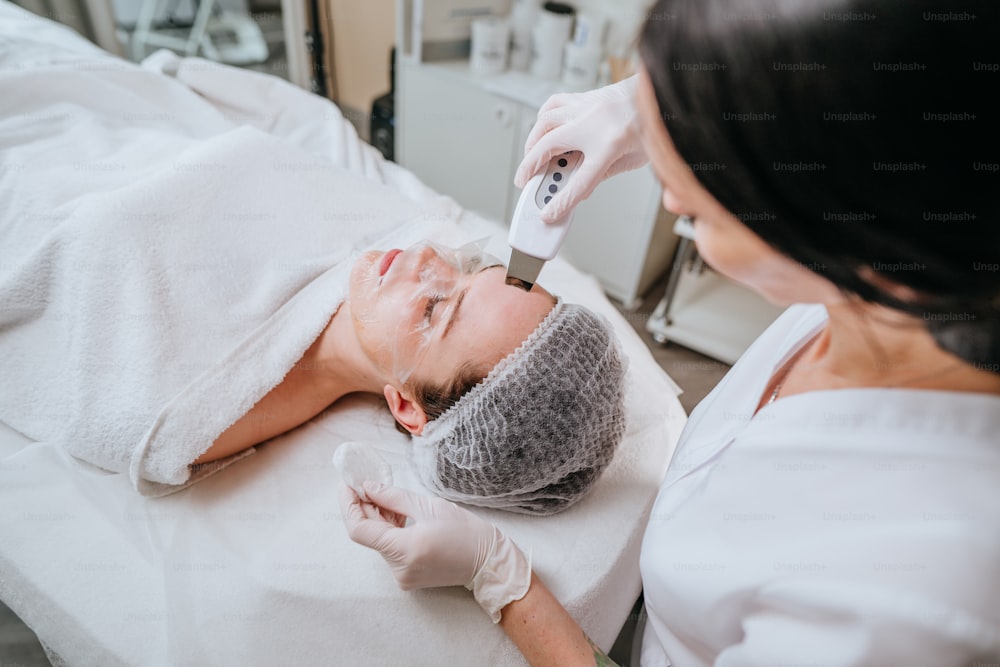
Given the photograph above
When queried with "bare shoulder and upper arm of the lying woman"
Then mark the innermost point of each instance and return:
(302, 395)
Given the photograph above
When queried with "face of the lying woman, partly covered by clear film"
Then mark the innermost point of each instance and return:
(426, 311)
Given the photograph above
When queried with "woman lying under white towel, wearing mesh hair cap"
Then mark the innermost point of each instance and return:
(204, 293)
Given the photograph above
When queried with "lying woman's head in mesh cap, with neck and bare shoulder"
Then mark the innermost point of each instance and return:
(427, 328)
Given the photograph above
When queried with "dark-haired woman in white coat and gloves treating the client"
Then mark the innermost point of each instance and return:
(836, 499)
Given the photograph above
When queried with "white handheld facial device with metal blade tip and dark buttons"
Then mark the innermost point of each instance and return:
(532, 241)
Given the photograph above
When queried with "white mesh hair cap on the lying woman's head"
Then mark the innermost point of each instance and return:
(537, 432)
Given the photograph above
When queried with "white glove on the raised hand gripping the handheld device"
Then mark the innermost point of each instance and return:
(601, 124)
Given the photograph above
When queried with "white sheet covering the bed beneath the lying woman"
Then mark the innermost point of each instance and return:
(253, 565)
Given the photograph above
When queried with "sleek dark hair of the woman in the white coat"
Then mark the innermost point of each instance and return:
(851, 136)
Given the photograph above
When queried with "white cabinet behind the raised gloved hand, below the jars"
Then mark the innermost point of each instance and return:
(464, 136)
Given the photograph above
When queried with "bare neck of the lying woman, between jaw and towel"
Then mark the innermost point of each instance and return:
(335, 359)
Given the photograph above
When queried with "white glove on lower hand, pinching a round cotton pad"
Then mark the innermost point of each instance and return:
(444, 545)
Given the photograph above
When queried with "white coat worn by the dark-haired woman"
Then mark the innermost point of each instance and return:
(847, 527)
